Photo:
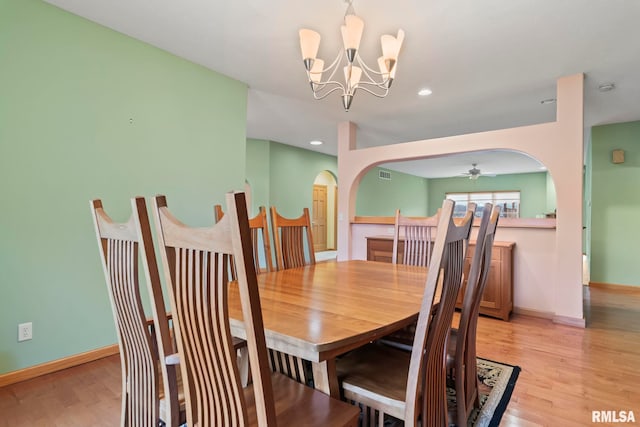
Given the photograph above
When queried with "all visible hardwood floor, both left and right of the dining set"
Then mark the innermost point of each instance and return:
(566, 372)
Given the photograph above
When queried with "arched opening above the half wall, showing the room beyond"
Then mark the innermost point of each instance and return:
(519, 183)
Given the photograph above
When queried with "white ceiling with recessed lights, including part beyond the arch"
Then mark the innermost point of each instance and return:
(489, 64)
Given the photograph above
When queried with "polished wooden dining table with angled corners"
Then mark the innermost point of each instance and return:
(321, 311)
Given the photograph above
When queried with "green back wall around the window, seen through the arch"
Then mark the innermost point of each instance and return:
(532, 187)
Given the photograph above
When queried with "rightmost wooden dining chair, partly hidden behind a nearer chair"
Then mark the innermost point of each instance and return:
(461, 358)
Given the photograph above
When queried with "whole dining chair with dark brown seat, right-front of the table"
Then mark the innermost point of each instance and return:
(412, 386)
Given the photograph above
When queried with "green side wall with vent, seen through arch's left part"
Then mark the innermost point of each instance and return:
(380, 197)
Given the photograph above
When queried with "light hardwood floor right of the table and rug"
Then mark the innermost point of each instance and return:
(568, 372)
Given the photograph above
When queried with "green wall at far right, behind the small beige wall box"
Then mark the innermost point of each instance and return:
(615, 204)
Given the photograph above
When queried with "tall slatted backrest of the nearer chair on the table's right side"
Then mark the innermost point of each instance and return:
(426, 385)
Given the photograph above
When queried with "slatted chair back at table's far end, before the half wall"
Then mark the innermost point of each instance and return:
(417, 237)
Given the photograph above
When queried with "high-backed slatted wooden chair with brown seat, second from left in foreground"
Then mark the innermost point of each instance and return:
(196, 262)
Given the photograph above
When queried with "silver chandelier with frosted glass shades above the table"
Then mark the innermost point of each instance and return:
(357, 74)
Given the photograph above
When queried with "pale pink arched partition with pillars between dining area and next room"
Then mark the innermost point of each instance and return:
(559, 145)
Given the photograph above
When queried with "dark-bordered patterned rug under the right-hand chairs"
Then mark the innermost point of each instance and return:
(497, 381)
